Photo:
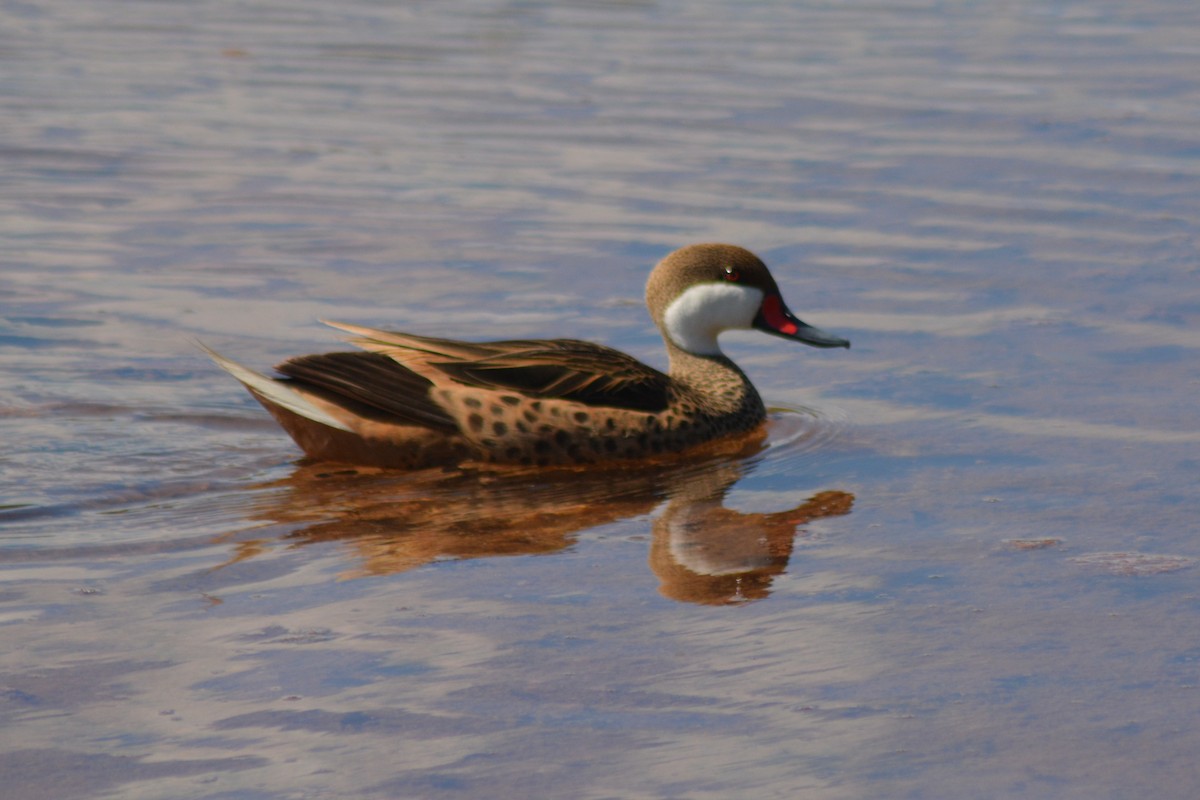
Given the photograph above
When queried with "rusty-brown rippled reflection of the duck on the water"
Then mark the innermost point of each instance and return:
(701, 551)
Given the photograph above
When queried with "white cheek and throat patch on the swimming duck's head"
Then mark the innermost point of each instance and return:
(697, 317)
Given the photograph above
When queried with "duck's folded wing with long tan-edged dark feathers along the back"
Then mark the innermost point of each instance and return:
(568, 370)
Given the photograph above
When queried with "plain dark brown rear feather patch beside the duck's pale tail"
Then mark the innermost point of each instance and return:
(377, 384)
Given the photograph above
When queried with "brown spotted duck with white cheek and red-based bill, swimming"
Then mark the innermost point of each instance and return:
(405, 401)
